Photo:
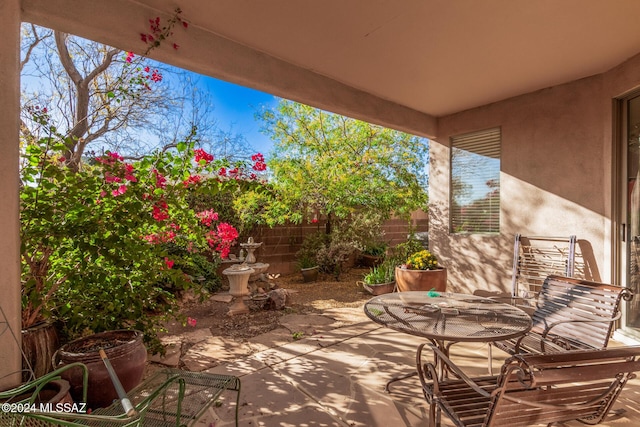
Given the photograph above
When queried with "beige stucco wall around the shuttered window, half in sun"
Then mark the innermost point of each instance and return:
(556, 177)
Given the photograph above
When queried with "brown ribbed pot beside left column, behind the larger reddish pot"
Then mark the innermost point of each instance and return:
(39, 342)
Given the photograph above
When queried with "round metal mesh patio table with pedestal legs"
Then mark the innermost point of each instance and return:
(445, 318)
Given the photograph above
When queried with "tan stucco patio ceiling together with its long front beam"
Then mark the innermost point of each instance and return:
(399, 63)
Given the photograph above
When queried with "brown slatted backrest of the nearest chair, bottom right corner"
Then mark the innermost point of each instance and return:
(542, 389)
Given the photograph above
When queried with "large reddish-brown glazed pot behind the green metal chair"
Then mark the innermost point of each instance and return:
(125, 351)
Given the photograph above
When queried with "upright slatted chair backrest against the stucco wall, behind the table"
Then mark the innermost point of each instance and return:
(535, 258)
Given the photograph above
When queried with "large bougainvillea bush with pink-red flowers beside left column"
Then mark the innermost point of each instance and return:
(110, 245)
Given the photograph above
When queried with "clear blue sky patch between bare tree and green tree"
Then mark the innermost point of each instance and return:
(235, 107)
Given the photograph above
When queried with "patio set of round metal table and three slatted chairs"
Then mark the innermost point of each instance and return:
(556, 333)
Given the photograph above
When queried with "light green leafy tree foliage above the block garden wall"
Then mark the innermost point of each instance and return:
(329, 165)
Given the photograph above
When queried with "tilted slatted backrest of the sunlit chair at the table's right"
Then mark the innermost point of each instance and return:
(580, 301)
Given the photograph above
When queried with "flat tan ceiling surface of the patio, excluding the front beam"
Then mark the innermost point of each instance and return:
(434, 56)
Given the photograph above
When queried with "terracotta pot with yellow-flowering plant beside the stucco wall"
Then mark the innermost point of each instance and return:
(421, 272)
